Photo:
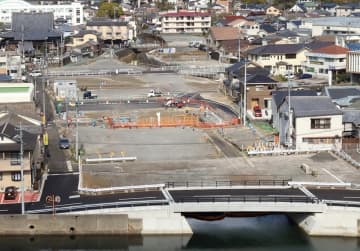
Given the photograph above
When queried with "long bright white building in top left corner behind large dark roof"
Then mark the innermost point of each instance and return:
(73, 13)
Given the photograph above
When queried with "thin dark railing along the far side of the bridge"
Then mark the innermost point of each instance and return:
(227, 183)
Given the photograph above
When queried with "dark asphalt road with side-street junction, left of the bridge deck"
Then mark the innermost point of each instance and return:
(65, 186)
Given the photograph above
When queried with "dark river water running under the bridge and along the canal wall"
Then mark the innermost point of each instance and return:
(270, 233)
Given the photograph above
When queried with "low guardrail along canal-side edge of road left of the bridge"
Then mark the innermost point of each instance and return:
(86, 207)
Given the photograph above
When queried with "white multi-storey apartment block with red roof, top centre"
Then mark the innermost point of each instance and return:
(185, 22)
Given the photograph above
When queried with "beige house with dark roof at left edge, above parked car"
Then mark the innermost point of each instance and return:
(10, 164)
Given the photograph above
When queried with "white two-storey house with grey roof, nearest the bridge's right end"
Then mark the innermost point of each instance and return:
(315, 123)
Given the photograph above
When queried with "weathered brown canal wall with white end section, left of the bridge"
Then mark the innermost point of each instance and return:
(88, 224)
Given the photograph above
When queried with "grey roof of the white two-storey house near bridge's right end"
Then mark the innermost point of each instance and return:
(313, 106)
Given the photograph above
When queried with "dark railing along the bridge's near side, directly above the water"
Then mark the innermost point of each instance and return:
(247, 198)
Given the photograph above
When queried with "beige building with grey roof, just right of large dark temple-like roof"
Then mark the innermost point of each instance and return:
(114, 31)
